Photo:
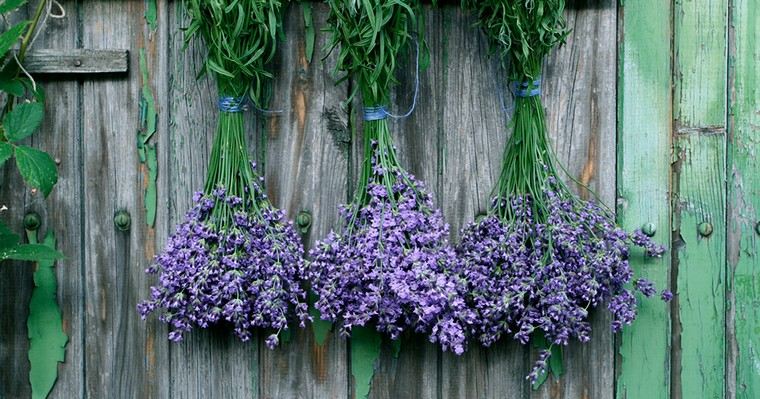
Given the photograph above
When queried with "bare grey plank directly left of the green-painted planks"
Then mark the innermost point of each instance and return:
(579, 96)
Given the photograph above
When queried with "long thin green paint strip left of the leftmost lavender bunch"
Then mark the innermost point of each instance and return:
(146, 151)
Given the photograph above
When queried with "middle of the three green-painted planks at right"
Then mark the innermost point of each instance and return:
(699, 240)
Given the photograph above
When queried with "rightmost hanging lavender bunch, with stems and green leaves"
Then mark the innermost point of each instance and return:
(541, 258)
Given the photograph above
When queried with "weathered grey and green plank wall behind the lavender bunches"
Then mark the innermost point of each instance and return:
(653, 105)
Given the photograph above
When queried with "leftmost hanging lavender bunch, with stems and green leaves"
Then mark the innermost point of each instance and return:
(235, 258)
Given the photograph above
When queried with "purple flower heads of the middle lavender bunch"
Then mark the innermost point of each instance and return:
(391, 266)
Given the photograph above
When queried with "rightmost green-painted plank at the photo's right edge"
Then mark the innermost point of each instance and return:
(743, 377)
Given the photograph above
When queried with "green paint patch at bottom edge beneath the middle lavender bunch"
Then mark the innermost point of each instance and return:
(365, 350)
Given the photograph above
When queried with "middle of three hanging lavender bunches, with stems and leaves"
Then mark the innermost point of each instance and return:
(390, 265)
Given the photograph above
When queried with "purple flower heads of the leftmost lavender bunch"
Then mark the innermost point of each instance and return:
(248, 272)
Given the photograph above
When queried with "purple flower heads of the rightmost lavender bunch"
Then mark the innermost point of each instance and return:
(543, 268)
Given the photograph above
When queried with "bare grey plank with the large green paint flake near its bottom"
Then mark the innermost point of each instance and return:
(60, 136)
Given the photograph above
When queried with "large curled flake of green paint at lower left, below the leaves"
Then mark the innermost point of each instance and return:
(47, 340)
